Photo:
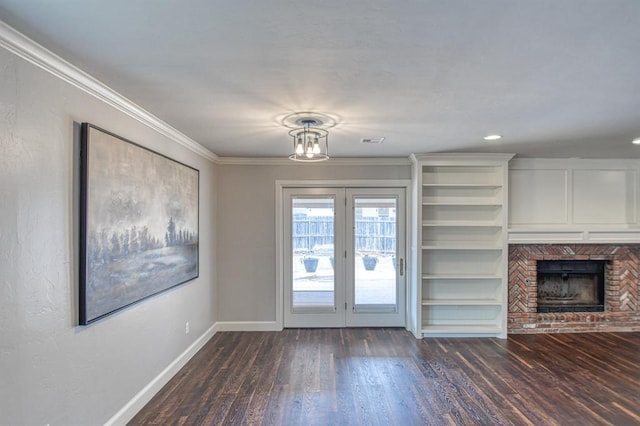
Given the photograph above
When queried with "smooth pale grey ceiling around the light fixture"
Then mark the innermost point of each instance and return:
(556, 78)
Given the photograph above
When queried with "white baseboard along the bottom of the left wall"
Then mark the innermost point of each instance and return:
(127, 412)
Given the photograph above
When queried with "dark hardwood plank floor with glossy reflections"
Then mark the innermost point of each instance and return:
(387, 377)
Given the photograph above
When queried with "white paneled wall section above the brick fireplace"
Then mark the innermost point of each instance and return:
(573, 195)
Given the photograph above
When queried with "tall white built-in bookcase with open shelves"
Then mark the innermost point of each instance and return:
(461, 250)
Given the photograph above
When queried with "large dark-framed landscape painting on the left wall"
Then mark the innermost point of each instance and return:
(139, 223)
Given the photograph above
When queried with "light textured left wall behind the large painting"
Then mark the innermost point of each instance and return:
(51, 370)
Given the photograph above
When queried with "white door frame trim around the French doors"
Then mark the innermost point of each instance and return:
(350, 183)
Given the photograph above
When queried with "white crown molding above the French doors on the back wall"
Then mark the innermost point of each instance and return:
(284, 161)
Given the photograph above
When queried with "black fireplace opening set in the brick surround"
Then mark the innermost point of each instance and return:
(571, 285)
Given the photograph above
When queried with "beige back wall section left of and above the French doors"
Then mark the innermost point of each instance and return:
(246, 273)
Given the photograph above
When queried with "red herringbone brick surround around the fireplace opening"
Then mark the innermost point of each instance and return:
(622, 302)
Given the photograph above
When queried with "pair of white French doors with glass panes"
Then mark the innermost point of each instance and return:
(344, 257)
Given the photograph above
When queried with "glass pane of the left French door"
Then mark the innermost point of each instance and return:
(312, 244)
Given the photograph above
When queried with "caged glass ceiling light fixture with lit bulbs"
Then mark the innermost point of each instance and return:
(310, 140)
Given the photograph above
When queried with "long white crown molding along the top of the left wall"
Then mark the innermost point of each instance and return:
(22, 46)
